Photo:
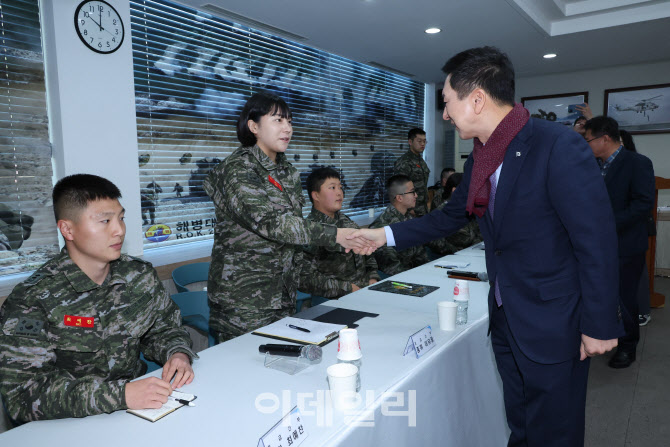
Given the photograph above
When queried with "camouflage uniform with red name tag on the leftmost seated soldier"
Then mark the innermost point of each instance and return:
(49, 370)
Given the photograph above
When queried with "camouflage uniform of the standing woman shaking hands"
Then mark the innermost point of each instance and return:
(257, 241)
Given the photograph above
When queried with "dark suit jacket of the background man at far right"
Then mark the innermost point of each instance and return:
(631, 186)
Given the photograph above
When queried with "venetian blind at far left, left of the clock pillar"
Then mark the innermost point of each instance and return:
(27, 228)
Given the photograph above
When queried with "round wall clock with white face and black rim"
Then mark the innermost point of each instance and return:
(99, 26)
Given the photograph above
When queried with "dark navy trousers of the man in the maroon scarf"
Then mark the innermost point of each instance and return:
(545, 404)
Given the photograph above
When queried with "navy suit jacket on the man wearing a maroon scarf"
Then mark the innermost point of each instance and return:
(551, 245)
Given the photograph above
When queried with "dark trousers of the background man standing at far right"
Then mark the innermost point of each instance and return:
(630, 272)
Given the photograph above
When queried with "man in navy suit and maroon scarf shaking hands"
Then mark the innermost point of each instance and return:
(550, 247)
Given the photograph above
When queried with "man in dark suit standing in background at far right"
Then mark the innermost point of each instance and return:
(629, 178)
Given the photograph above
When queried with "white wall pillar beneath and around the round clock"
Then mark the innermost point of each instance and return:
(91, 102)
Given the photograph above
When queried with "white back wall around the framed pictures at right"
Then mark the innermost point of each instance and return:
(655, 146)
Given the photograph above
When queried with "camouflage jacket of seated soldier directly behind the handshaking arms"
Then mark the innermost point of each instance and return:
(329, 272)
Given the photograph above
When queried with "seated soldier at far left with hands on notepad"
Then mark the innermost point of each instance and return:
(71, 334)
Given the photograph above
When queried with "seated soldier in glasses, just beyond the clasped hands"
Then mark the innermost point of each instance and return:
(402, 195)
